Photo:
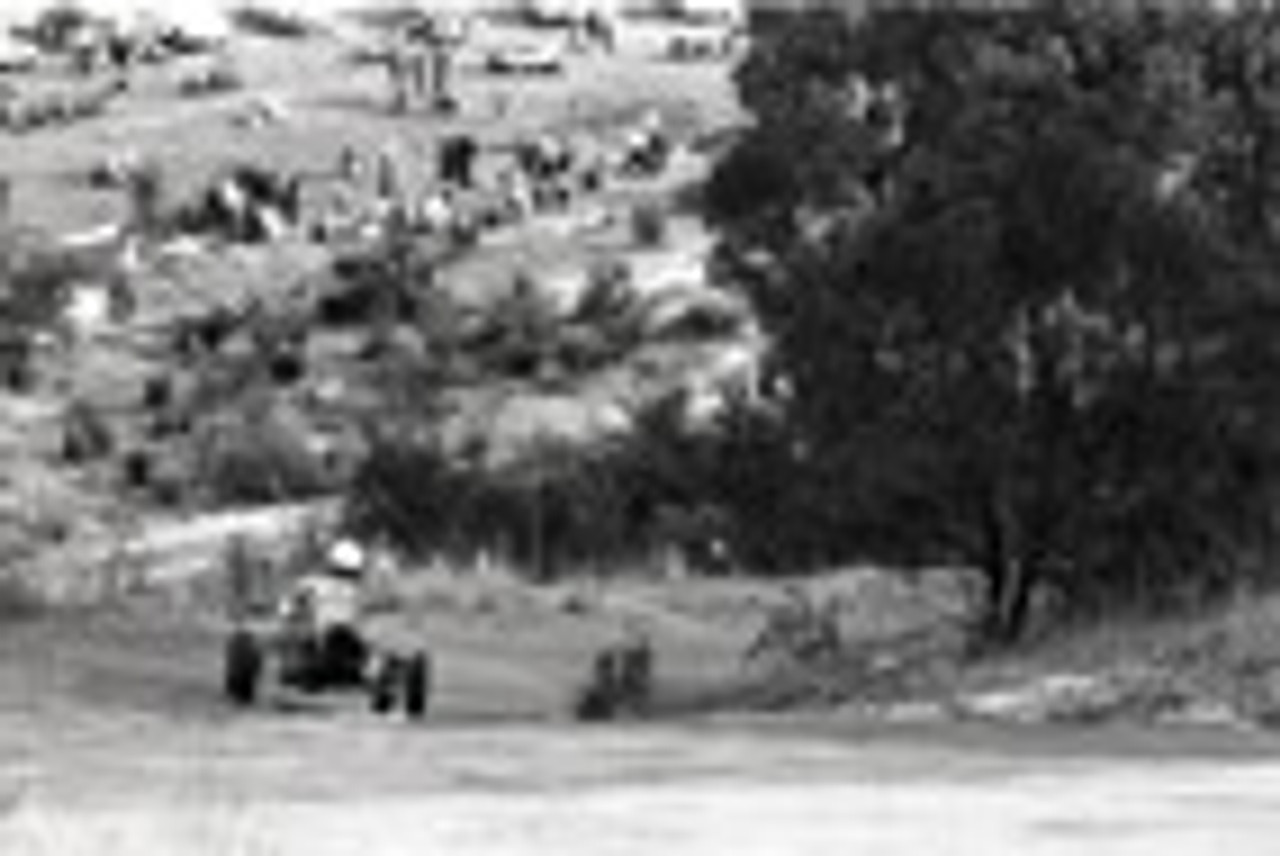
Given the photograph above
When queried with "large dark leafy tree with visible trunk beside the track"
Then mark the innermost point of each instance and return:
(1016, 267)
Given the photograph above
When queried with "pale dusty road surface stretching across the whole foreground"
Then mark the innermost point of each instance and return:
(345, 785)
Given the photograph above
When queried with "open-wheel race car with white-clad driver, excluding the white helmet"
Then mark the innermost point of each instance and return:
(301, 649)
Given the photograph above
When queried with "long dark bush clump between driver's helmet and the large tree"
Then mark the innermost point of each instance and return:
(570, 509)
